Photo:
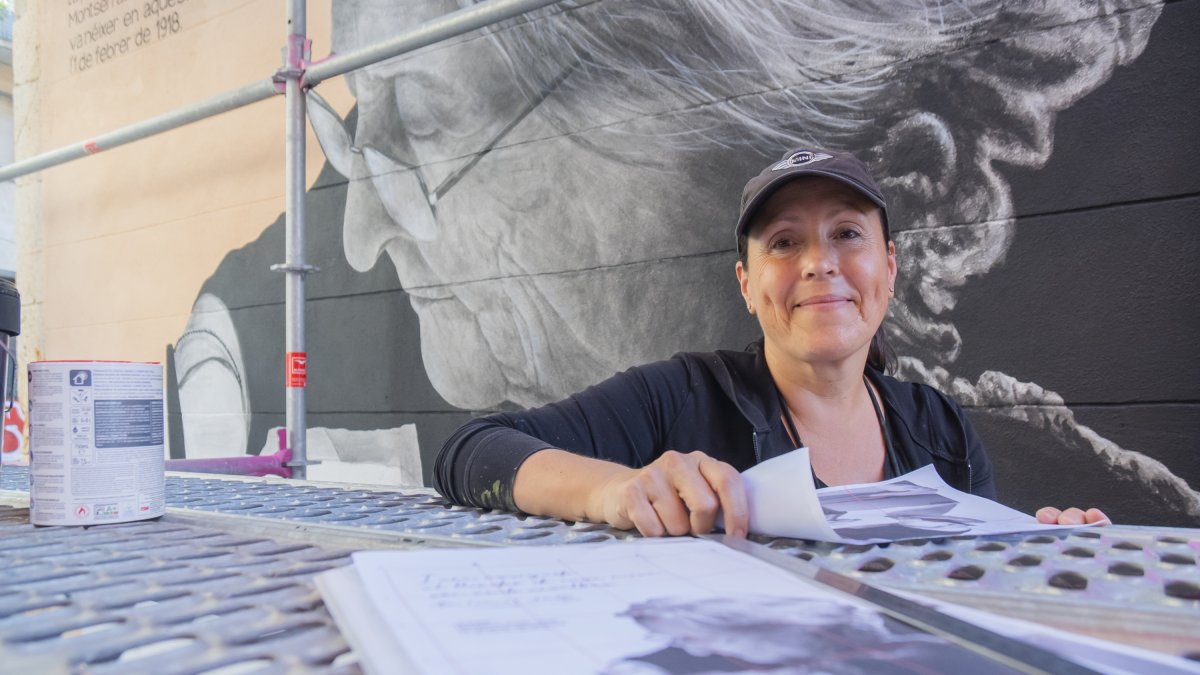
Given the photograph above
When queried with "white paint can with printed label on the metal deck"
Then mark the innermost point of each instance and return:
(97, 441)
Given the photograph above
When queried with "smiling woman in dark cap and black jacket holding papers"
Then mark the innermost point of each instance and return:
(661, 447)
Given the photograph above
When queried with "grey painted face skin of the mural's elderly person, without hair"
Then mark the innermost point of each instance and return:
(536, 262)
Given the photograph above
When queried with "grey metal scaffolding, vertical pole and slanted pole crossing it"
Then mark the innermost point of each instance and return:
(297, 75)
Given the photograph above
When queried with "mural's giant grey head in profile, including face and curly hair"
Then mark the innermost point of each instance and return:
(557, 194)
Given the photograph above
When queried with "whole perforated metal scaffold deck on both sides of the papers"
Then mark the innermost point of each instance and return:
(226, 577)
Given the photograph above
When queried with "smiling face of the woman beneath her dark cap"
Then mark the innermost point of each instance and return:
(819, 271)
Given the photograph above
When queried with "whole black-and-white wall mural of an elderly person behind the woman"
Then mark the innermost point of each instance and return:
(515, 214)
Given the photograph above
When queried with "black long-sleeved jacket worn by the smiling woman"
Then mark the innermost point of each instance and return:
(722, 403)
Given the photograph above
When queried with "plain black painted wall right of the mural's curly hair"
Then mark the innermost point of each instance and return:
(1097, 300)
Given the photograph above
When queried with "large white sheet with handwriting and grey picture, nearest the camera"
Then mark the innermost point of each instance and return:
(640, 607)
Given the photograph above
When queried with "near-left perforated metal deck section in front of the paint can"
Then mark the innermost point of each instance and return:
(161, 598)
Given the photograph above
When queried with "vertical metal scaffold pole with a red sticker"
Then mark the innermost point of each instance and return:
(297, 357)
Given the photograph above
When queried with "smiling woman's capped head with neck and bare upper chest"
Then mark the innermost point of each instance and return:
(818, 270)
